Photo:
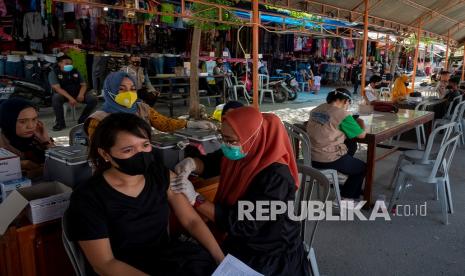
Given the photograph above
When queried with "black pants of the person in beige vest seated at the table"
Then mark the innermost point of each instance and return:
(351, 166)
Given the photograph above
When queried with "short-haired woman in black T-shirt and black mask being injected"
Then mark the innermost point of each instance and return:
(120, 217)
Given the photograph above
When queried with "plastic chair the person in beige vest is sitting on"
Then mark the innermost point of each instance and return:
(301, 145)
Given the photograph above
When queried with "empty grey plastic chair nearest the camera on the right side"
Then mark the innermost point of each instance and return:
(436, 174)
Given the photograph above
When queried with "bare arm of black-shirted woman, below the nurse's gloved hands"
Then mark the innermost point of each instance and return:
(191, 221)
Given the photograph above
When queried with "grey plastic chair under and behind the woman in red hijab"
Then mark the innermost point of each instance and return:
(314, 186)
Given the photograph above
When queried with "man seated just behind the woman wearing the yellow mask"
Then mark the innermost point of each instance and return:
(145, 90)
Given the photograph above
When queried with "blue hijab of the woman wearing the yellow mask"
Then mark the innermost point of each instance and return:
(111, 89)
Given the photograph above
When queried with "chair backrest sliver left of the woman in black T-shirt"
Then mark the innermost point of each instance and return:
(77, 258)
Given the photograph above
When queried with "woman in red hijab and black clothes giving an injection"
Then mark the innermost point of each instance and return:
(256, 163)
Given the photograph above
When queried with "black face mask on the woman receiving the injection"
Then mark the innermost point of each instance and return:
(135, 165)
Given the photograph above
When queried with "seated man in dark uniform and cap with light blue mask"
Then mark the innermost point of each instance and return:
(69, 87)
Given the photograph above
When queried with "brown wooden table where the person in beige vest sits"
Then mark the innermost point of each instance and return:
(382, 127)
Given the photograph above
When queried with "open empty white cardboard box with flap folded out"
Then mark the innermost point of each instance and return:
(45, 201)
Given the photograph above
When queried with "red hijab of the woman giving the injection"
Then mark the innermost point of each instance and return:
(264, 139)
